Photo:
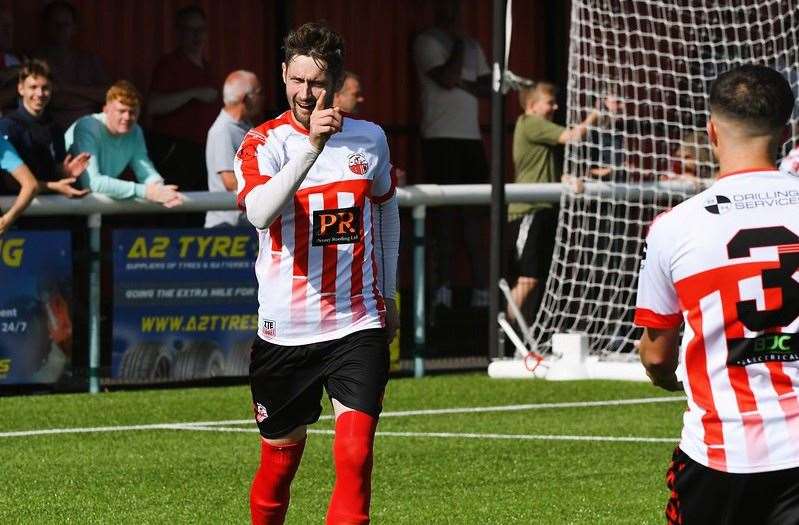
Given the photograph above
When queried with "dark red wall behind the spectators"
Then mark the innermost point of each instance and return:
(130, 35)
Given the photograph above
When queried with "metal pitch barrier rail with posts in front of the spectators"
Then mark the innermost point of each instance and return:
(418, 198)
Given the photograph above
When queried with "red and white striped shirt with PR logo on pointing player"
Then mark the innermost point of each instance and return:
(316, 266)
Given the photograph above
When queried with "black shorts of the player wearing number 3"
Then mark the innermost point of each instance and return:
(701, 495)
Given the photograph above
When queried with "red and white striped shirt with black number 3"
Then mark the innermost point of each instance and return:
(726, 263)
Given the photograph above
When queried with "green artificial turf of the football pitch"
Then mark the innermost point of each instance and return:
(203, 476)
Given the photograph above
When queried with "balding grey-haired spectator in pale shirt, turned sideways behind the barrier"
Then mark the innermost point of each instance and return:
(243, 104)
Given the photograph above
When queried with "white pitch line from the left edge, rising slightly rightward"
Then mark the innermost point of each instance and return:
(403, 413)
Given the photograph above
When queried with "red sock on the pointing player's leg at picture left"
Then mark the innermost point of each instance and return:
(269, 496)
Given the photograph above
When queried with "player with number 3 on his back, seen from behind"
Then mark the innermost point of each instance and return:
(723, 266)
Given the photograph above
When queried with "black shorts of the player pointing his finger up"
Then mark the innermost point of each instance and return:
(287, 381)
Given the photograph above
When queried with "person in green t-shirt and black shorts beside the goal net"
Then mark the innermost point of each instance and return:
(533, 225)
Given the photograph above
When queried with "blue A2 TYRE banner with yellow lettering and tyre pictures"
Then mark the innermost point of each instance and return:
(185, 303)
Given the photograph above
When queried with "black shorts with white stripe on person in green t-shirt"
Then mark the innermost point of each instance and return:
(531, 241)
